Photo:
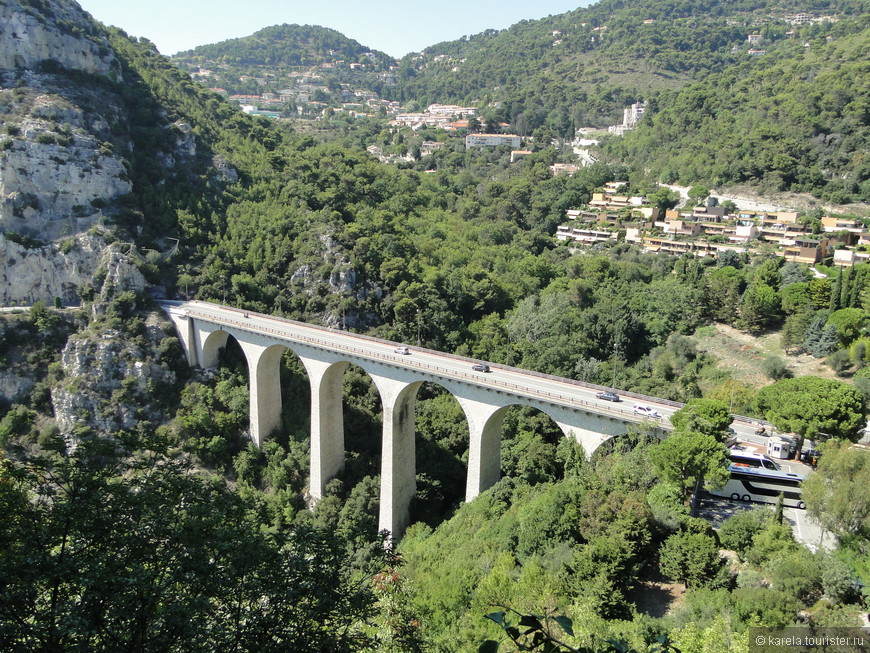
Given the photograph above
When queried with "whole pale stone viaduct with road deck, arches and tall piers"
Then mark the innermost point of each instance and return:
(325, 353)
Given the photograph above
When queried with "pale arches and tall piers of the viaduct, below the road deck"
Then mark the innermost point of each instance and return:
(483, 406)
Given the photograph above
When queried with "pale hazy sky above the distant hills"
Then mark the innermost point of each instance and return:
(396, 28)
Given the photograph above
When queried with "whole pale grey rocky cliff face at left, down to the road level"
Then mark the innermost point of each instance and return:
(67, 148)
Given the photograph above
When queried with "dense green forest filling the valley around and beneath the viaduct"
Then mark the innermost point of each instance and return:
(179, 534)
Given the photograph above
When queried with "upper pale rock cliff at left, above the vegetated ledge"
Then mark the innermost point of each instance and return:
(58, 169)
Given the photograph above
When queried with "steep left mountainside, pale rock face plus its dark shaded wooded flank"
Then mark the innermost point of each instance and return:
(84, 143)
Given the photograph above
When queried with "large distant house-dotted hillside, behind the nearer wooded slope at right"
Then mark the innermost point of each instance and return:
(578, 68)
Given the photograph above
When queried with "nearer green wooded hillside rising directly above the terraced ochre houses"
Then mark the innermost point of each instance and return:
(798, 121)
